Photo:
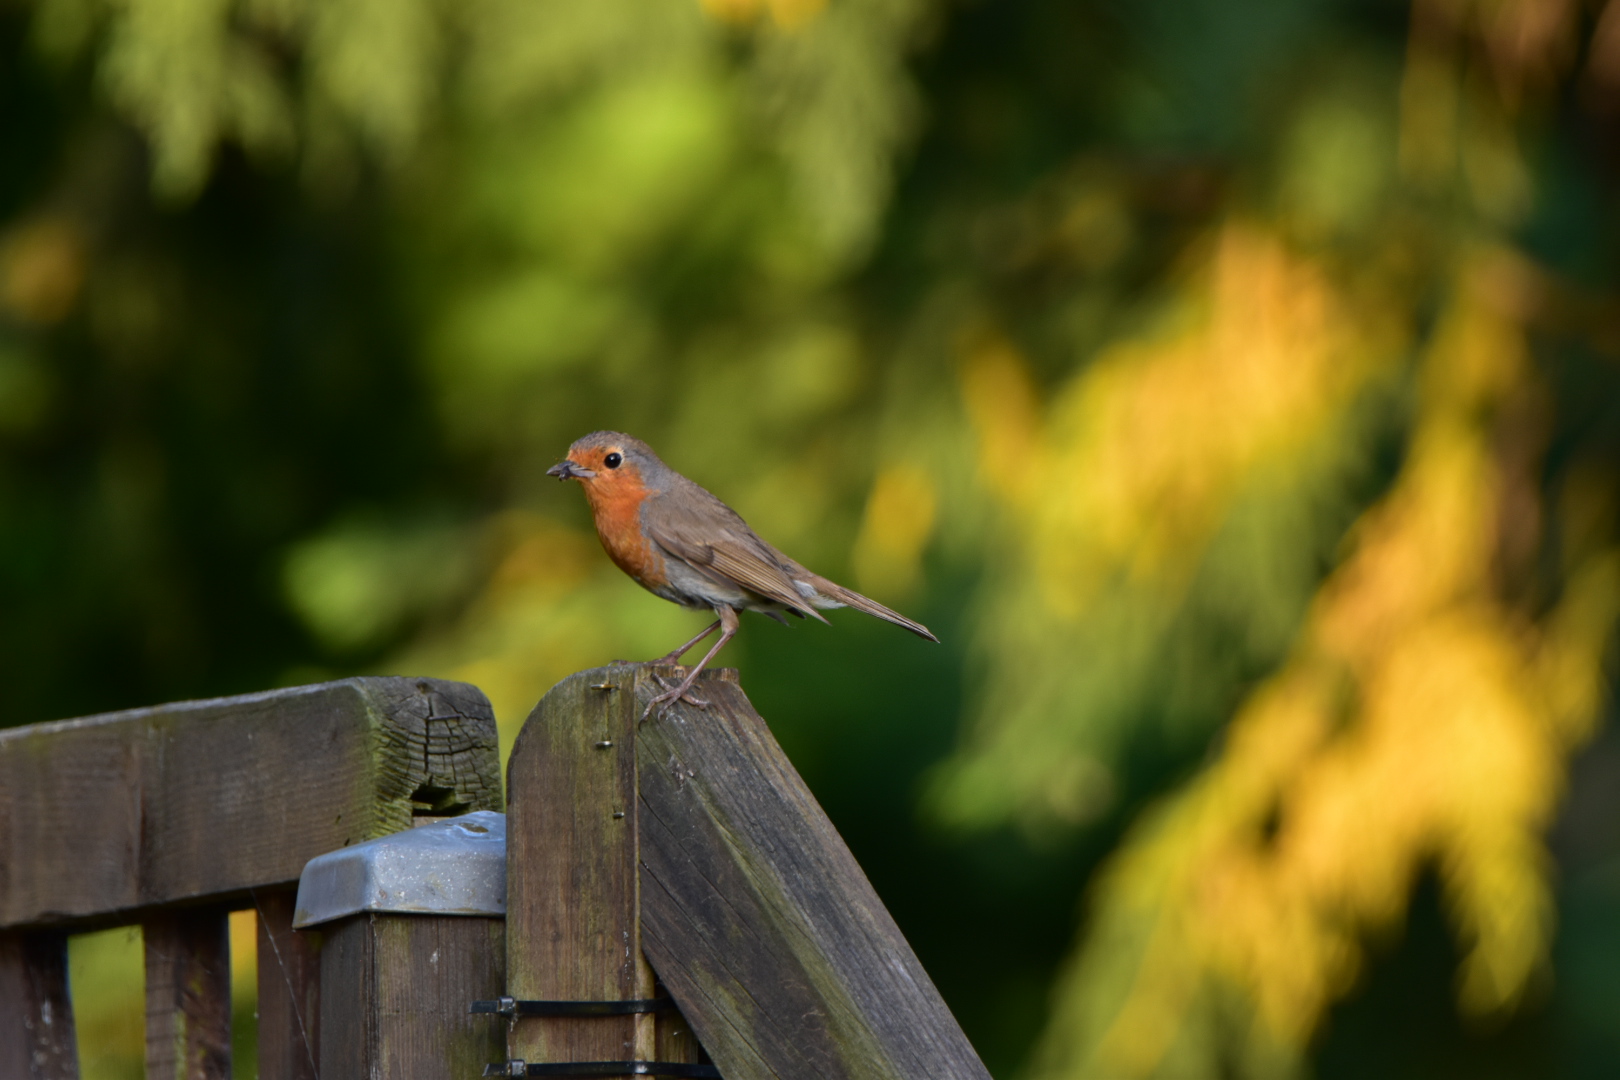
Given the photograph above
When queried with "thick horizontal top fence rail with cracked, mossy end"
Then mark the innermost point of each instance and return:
(108, 817)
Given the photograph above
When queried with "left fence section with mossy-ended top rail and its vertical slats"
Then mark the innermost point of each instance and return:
(177, 815)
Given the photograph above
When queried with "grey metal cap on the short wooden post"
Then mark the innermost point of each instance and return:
(454, 867)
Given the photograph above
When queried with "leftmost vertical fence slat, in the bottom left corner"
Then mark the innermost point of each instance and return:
(36, 1014)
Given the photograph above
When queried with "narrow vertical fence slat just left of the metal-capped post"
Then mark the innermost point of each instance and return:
(289, 992)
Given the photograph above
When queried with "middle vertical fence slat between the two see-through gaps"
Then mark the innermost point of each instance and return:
(189, 995)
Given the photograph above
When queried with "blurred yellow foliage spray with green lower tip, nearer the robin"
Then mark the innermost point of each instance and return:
(1119, 488)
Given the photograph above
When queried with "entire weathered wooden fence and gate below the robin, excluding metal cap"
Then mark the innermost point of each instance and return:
(678, 904)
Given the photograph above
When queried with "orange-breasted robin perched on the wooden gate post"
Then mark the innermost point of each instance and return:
(688, 546)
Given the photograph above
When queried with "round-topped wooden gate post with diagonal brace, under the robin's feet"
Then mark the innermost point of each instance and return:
(693, 838)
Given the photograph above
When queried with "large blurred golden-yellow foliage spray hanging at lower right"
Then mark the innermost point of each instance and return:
(1420, 721)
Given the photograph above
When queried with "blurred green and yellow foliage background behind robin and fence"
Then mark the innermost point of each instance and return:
(1232, 385)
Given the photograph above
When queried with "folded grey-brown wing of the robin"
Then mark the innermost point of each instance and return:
(707, 535)
